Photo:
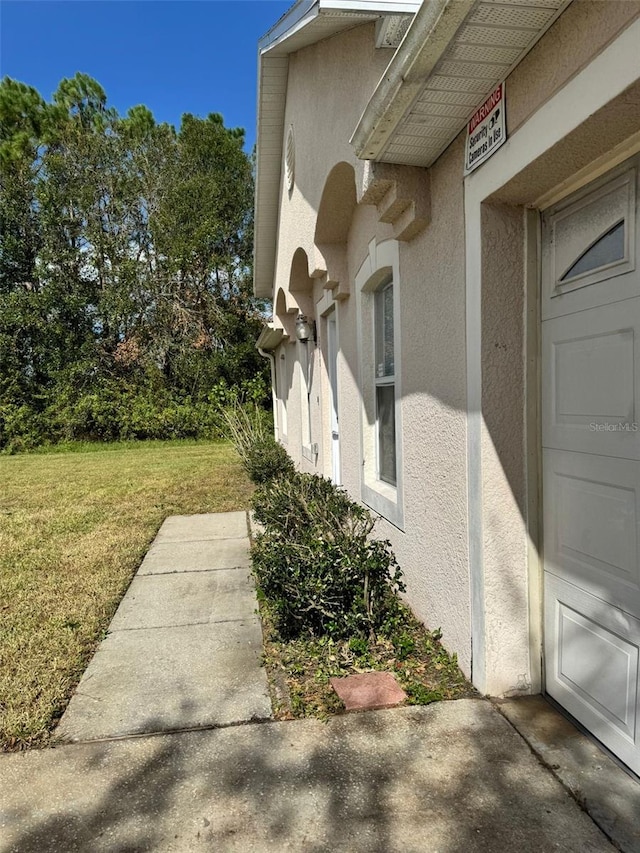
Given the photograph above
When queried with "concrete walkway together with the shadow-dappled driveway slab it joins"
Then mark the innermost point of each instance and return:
(173, 748)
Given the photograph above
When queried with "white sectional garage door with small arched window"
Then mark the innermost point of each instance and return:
(591, 458)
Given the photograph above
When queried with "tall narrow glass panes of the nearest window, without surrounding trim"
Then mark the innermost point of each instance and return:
(385, 383)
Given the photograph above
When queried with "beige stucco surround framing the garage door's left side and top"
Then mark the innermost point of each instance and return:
(586, 126)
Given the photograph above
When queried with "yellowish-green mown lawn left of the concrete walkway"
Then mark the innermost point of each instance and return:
(74, 526)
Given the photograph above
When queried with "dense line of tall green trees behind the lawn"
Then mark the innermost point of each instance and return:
(125, 269)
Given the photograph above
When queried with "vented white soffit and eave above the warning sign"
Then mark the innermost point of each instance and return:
(453, 55)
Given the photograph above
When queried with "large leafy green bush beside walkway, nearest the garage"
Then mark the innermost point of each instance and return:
(316, 563)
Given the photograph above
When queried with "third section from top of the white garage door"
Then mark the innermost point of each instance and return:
(592, 522)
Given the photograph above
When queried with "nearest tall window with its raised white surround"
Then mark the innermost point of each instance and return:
(377, 286)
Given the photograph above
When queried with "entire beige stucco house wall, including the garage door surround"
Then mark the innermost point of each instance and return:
(467, 538)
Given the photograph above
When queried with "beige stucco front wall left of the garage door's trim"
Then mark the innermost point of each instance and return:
(341, 73)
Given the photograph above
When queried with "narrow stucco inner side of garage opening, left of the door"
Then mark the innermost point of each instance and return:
(503, 448)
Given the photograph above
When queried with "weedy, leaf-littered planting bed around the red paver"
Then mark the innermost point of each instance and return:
(299, 670)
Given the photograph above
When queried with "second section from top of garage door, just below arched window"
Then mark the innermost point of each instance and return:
(592, 381)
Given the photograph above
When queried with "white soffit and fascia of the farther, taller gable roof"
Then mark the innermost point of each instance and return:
(305, 23)
